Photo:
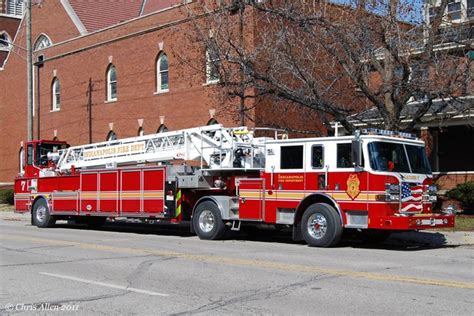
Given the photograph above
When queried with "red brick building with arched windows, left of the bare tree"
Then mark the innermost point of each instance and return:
(104, 71)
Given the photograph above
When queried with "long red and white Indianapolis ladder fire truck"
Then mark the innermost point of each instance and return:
(218, 179)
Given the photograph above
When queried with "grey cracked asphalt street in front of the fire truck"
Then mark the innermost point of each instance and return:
(144, 269)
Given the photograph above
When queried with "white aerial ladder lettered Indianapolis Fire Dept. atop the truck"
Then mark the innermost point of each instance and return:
(214, 146)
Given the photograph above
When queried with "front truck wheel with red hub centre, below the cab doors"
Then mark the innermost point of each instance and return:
(321, 225)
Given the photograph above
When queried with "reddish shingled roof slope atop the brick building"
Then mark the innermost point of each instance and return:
(99, 14)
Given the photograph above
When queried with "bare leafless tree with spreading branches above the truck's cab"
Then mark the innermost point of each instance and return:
(334, 60)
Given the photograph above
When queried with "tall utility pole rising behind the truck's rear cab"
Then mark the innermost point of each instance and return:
(29, 73)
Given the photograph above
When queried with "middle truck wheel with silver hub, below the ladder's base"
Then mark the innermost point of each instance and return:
(207, 221)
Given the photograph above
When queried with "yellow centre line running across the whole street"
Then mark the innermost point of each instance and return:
(247, 262)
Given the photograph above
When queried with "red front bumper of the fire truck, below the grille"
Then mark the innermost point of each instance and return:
(412, 222)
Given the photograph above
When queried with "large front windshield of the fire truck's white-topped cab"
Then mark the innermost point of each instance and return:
(392, 157)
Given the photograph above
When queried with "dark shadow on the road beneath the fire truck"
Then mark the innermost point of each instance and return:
(402, 241)
